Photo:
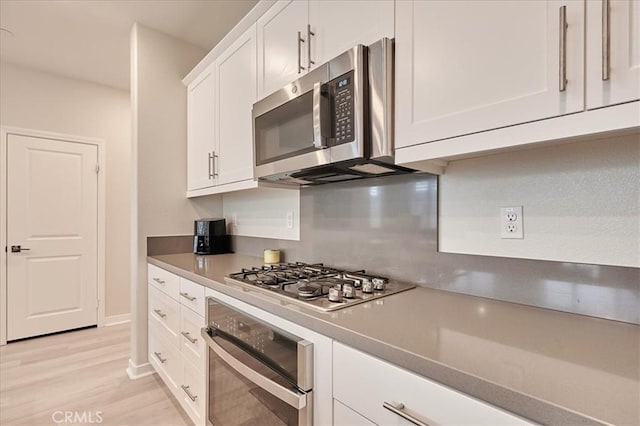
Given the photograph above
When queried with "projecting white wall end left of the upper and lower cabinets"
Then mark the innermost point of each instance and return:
(159, 126)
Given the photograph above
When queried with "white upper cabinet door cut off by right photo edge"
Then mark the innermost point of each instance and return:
(613, 77)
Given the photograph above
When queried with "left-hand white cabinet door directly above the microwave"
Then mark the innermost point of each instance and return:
(279, 51)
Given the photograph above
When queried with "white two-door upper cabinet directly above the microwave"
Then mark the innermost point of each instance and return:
(294, 36)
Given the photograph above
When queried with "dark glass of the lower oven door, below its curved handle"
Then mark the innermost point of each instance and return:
(234, 400)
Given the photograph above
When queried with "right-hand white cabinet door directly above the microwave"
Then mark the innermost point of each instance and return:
(340, 25)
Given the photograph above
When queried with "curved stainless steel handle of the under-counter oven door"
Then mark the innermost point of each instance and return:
(294, 399)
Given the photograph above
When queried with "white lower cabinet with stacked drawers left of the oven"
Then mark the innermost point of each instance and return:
(176, 349)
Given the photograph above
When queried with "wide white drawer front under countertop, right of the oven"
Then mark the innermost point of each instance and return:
(356, 374)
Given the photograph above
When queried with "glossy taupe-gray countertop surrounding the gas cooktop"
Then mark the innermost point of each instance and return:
(547, 366)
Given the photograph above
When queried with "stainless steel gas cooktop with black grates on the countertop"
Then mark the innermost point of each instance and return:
(317, 286)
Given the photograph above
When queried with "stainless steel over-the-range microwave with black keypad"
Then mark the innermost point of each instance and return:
(333, 124)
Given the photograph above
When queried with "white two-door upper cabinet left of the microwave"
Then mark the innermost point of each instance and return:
(220, 140)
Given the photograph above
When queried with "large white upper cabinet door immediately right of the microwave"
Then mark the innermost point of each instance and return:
(468, 66)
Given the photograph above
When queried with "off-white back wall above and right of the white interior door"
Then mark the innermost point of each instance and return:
(35, 100)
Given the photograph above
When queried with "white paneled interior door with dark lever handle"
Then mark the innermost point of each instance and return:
(52, 210)
